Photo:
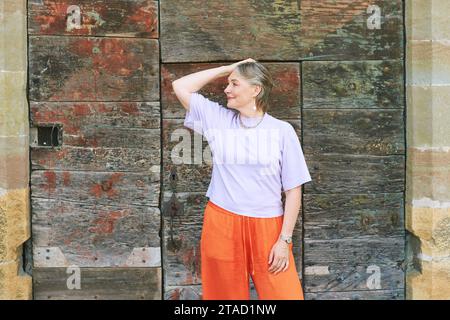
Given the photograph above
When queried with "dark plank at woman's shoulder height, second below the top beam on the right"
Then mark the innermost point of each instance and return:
(356, 132)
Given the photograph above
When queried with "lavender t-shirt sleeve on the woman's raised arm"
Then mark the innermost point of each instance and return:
(204, 114)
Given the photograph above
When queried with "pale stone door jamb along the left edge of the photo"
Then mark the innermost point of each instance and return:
(14, 155)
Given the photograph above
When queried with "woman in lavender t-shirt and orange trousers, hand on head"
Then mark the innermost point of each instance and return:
(256, 157)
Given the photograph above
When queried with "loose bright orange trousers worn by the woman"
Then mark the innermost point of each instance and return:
(234, 246)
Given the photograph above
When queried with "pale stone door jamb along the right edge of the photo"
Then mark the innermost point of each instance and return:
(428, 145)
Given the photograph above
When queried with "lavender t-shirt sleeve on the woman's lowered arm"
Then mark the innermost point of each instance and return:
(294, 171)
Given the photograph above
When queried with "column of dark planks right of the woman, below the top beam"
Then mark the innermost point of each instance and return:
(353, 133)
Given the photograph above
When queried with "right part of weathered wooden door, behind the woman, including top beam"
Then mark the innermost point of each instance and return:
(339, 67)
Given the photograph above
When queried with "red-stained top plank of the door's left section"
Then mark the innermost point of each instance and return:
(137, 18)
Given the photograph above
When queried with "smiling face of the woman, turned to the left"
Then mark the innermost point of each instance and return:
(239, 92)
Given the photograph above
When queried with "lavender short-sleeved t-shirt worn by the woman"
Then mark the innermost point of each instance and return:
(251, 167)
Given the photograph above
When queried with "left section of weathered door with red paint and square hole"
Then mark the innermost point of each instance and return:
(95, 149)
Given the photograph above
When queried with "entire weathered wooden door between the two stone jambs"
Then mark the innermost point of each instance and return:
(110, 155)
